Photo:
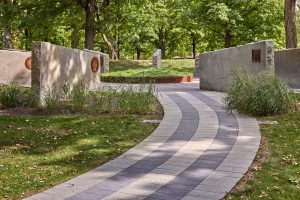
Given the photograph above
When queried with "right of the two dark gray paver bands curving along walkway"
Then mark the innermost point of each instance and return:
(190, 178)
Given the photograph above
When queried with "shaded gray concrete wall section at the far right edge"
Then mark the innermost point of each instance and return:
(287, 66)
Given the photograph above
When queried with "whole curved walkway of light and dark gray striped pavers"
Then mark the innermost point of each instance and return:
(198, 152)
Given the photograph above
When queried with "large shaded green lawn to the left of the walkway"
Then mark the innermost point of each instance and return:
(38, 152)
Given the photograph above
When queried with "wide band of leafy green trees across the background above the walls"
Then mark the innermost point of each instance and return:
(135, 28)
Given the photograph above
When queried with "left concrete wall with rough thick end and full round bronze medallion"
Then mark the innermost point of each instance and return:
(54, 65)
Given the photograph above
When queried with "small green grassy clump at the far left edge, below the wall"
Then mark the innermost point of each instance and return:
(9, 95)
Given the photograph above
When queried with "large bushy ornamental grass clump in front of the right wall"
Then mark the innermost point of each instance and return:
(260, 95)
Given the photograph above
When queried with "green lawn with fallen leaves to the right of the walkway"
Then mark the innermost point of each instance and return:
(279, 176)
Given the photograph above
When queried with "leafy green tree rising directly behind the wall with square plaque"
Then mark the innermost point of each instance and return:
(239, 21)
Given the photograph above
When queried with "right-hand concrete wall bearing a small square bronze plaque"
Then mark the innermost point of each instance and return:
(215, 68)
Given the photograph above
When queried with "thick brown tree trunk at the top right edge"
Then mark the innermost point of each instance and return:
(290, 24)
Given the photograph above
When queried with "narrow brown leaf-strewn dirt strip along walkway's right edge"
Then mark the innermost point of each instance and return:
(262, 156)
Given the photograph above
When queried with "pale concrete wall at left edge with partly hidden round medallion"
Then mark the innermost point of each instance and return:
(15, 67)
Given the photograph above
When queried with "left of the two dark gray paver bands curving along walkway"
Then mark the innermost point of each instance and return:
(186, 130)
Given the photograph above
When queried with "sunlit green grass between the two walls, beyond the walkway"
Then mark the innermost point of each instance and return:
(143, 68)
